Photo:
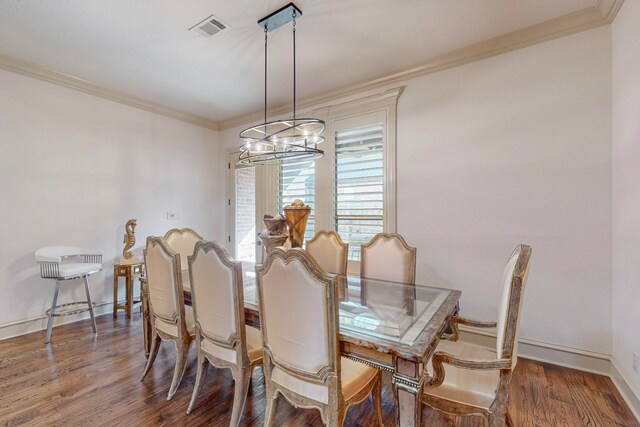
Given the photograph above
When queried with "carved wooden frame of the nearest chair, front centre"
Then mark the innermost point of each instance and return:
(334, 412)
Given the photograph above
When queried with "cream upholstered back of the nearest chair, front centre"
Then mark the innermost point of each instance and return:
(299, 323)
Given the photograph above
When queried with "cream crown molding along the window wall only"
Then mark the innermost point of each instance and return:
(602, 13)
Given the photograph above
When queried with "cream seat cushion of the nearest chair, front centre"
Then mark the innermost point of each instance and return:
(355, 376)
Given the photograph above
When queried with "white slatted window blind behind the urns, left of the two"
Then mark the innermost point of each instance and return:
(298, 181)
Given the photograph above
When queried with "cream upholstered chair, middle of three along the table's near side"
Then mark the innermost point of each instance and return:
(221, 336)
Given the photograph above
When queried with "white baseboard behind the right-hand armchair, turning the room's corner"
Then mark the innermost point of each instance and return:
(568, 357)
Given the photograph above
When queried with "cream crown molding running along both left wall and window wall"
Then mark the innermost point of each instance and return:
(602, 13)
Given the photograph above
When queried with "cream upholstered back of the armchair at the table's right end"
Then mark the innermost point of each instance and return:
(514, 282)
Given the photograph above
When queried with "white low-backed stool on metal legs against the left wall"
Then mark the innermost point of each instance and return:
(63, 263)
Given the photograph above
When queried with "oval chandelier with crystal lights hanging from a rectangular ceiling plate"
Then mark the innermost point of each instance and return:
(290, 140)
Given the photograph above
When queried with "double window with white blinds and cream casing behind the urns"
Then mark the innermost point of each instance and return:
(351, 189)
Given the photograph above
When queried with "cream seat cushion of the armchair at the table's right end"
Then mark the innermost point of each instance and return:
(467, 386)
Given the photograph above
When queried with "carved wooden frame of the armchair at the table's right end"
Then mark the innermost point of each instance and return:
(496, 414)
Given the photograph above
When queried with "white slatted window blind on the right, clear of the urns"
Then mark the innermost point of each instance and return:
(359, 185)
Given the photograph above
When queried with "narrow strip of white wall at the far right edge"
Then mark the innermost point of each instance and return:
(626, 190)
